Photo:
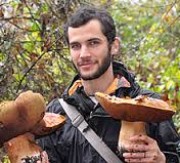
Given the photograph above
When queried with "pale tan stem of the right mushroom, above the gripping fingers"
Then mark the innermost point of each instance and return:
(129, 129)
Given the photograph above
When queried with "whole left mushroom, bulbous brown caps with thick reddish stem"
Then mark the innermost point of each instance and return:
(21, 120)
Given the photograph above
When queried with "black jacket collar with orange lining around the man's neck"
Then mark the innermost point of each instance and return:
(123, 85)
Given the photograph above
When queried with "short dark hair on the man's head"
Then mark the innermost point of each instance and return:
(86, 13)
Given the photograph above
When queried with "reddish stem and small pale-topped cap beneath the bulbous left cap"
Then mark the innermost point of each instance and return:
(23, 148)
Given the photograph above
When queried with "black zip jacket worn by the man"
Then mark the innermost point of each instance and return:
(68, 145)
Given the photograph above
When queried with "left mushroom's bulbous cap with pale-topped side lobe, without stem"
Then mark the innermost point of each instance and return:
(27, 114)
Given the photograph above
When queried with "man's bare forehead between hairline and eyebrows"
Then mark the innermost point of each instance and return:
(90, 30)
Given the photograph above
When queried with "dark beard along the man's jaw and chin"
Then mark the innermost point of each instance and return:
(104, 66)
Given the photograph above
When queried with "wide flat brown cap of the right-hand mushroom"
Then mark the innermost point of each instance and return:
(141, 108)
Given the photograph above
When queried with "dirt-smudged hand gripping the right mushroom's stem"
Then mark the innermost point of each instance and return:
(143, 149)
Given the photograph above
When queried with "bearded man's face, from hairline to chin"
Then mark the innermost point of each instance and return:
(89, 49)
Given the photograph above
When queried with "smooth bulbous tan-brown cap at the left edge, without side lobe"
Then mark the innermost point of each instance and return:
(21, 115)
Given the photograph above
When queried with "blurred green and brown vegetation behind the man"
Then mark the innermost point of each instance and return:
(33, 54)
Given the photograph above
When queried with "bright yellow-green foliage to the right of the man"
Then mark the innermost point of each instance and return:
(150, 45)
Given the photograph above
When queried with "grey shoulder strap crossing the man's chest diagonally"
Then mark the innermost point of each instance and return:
(79, 122)
